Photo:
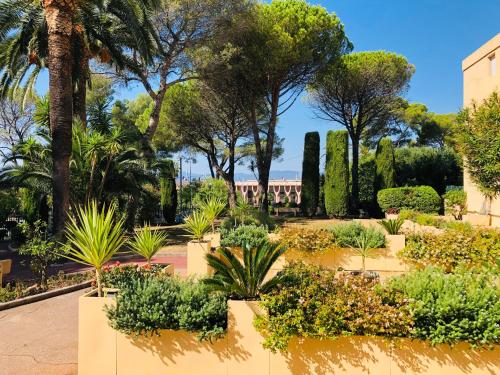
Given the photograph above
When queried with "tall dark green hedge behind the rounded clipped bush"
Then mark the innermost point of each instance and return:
(428, 166)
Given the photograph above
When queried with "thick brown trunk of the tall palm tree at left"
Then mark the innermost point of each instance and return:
(58, 14)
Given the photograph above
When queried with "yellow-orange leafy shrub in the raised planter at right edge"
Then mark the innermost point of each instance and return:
(466, 246)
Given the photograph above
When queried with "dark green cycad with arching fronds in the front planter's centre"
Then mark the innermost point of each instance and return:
(244, 280)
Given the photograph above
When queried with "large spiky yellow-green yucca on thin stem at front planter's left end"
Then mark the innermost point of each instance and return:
(93, 237)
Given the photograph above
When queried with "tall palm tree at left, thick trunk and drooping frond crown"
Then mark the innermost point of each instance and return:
(62, 35)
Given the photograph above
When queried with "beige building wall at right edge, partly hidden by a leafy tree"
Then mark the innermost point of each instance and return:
(481, 72)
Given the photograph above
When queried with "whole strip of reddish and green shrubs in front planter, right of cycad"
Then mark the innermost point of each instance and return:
(425, 304)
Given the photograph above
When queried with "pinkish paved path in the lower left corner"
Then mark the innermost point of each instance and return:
(40, 338)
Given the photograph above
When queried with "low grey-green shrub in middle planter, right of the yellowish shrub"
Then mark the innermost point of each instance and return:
(353, 233)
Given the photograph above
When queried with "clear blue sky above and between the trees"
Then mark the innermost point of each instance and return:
(435, 36)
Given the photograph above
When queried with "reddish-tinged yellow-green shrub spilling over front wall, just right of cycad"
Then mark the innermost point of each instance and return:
(311, 302)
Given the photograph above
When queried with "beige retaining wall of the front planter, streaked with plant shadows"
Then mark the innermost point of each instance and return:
(103, 351)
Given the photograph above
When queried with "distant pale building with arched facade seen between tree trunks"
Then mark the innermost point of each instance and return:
(280, 191)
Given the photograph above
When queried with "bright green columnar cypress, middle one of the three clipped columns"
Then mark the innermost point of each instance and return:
(337, 173)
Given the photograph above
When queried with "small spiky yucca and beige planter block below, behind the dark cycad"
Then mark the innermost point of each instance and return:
(197, 225)
